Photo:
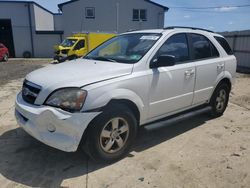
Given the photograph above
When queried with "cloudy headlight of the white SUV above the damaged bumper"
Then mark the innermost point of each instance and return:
(68, 99)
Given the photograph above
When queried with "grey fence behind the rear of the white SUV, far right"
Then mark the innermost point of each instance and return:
(240, 43)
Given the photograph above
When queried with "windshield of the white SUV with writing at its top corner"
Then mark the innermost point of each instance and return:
(127, 48)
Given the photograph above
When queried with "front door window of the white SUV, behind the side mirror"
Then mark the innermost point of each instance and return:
(176, 46)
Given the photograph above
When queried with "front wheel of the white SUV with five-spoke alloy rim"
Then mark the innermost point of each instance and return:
(111, 135)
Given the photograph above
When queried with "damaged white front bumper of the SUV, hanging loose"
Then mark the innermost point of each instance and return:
(52, 126)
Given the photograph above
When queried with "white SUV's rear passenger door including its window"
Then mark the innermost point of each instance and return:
(209, 66)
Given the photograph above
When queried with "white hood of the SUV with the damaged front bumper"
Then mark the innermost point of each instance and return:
(77, 73)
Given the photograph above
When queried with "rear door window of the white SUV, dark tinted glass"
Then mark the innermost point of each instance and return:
(202, 47)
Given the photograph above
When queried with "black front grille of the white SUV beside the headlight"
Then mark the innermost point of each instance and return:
(30, 92)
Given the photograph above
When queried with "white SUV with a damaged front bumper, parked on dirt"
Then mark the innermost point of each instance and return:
(99, 101)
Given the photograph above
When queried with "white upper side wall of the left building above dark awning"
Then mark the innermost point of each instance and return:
(44, 21)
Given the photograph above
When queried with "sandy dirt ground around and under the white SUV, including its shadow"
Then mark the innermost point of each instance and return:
(192, 151)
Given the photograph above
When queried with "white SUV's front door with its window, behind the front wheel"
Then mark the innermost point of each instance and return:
(172, 87)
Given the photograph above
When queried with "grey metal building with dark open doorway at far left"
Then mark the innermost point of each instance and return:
(26, 27)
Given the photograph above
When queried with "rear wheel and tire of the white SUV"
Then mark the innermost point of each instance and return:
(219, 100)
